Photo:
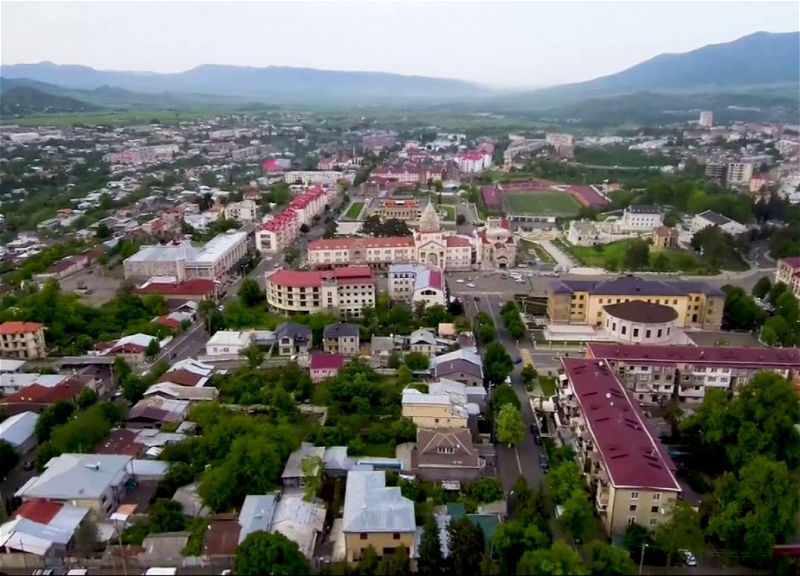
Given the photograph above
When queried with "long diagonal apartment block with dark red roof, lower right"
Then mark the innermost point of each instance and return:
(631, 479)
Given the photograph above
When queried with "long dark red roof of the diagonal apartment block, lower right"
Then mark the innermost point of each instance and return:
(630, 454)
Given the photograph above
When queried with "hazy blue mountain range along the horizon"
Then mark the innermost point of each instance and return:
(758, 62)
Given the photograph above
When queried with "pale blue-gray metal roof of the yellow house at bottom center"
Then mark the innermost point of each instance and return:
(371, 506)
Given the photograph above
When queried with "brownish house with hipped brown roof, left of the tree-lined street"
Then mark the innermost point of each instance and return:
(446, 454)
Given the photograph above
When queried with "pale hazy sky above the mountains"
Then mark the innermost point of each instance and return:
(497, 43)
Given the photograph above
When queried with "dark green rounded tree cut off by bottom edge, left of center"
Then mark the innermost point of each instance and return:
(266, 553)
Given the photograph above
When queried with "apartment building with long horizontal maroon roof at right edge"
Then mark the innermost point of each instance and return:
(655, 374)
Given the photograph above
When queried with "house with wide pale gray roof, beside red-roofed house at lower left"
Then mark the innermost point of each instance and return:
(94, 481)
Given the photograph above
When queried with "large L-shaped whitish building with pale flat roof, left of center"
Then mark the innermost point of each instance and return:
(214, 260)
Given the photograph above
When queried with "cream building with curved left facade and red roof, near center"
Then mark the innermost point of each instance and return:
(344, 290)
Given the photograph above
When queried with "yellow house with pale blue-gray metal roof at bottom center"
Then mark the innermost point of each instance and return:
(376, 515)
